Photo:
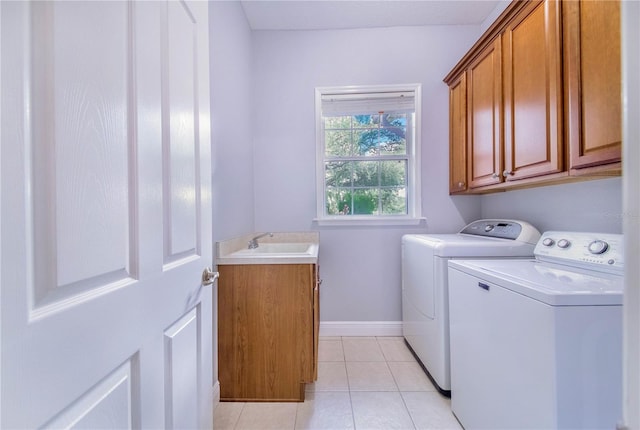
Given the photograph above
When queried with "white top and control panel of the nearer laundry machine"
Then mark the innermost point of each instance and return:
(569, 269)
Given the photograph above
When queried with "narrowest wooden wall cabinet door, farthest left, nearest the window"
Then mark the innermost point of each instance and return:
(458, 135)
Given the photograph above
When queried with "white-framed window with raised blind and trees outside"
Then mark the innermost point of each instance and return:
(367, 154)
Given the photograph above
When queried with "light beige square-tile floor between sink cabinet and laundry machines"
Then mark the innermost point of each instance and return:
(363, 383)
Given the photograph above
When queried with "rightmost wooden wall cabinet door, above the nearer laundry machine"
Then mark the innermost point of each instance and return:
(593, 82)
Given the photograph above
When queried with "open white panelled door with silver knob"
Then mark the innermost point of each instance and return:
(105, 214)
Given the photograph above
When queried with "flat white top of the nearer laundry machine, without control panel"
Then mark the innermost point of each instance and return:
(554, 284)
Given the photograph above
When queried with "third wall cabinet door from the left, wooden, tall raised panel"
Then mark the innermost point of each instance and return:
(533, 92)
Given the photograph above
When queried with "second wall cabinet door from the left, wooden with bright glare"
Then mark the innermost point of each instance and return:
(484, 86)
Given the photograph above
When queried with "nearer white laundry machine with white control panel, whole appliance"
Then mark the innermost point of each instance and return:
(537, 343)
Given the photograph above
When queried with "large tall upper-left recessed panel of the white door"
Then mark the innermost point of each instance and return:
(81, 151)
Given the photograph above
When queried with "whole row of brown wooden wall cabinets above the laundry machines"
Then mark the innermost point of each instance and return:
(543, 98)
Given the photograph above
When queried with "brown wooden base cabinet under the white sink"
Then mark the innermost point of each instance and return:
(267, 331)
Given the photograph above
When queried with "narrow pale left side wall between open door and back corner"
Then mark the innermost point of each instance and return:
(231, 97)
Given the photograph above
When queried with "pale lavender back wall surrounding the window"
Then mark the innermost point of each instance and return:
(360, 266)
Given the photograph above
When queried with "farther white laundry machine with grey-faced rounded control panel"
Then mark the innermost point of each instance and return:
(425, 311)
